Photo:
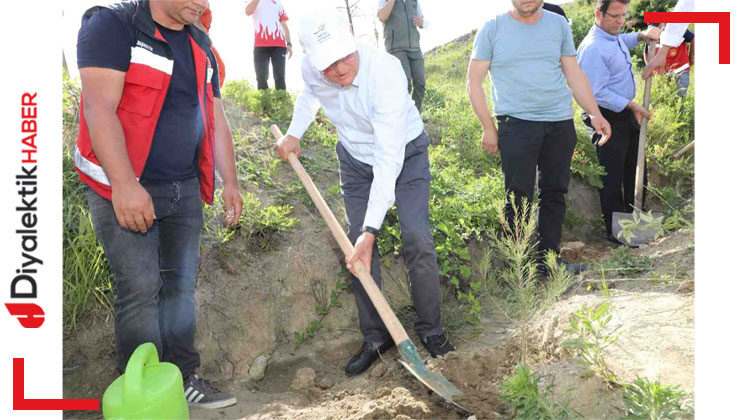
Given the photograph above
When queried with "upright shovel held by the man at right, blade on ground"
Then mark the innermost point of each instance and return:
(639, 228)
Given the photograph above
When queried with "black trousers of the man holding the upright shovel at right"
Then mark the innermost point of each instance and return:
(619, 157)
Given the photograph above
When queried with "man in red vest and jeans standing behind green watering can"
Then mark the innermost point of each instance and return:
(152, 133)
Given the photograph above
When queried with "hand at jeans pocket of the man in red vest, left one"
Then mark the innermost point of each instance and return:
(133, 206)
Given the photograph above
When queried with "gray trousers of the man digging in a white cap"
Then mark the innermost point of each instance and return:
(412, 204)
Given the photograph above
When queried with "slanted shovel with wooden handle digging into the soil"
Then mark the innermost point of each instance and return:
(411, 360)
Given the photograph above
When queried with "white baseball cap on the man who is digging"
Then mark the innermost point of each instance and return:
(326, 38)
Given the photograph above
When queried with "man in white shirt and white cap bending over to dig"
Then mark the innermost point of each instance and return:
(383, 159)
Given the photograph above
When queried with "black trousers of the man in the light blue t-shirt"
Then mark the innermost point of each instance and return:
(529, 146)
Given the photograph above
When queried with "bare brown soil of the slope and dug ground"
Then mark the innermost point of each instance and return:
(251, 301)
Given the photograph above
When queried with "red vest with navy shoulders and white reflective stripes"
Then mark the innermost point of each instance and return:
(146, 84)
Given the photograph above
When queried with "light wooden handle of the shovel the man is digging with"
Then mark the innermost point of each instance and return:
(376, 296)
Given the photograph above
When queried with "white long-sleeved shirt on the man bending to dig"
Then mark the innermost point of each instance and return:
(374, 116)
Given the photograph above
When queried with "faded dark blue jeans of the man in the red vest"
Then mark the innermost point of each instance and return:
(154, 273)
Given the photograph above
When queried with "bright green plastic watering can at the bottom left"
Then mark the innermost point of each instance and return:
(148, 390)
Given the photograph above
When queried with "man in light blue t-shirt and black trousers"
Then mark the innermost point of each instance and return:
(529, 54)
